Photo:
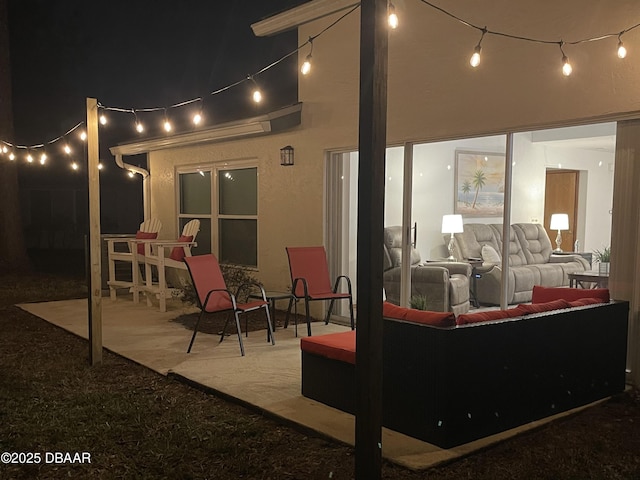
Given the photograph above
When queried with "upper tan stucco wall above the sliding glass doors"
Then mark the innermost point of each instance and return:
(433, 92)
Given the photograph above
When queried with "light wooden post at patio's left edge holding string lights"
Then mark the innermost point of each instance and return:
(95, 277)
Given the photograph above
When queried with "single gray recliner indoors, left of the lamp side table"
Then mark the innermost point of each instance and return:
(445, 285)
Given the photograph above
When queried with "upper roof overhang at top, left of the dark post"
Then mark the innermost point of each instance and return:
(305, 13)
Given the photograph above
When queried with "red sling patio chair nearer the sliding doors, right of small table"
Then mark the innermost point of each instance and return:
(310, 281)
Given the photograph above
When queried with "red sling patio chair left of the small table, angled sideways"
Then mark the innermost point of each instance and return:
(213, 296)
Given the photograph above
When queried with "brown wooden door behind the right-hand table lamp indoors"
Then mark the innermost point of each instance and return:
(561, 196)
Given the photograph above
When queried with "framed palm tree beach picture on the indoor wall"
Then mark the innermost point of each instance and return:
(479, 184)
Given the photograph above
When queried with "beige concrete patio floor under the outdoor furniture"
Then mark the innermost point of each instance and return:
(267, 377)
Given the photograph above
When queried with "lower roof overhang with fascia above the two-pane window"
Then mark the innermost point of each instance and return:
(276, 121)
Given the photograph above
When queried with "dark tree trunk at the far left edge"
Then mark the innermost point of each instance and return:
(13, 254)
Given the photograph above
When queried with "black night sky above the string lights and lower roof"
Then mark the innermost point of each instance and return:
(138, 54)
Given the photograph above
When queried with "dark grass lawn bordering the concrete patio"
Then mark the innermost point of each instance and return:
(137, 424)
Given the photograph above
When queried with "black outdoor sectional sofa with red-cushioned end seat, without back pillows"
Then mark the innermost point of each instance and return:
(452, 385)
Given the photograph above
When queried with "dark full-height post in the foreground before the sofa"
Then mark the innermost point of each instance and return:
(372, 145)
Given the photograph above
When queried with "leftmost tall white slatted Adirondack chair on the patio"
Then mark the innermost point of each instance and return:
(123, 249)
